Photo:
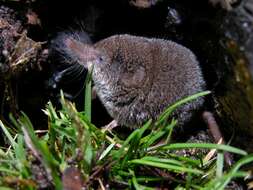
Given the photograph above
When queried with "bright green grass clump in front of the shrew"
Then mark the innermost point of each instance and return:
(73, 152)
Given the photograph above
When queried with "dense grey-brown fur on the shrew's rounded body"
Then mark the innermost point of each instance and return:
(137, 78)
